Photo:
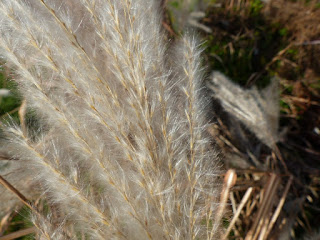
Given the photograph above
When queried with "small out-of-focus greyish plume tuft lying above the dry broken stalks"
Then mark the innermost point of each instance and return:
(257, 110)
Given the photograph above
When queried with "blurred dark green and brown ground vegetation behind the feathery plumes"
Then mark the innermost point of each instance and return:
(251, 41)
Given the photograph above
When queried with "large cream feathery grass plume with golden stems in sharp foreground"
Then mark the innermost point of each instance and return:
(123, 151)
